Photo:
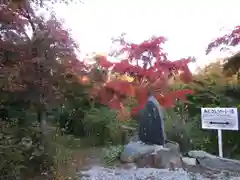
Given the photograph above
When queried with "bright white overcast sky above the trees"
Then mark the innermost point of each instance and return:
(188, 25)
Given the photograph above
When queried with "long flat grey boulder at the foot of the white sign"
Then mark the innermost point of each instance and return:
(212, 162)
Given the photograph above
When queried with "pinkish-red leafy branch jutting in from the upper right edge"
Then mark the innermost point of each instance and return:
(230, 39)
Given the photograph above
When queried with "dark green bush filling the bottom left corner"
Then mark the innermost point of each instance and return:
(24, 152)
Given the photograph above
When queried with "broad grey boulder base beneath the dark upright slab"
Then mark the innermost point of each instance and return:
(152, 156)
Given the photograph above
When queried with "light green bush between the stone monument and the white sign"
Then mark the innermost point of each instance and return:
(186, 130)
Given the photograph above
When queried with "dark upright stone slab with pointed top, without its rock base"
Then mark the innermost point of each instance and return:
(151, 125)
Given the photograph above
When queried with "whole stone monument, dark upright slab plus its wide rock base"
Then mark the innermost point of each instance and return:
(153, 150)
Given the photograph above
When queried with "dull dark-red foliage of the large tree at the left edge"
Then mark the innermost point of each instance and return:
(33, 65)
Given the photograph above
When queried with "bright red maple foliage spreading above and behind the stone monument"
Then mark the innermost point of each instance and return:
(148, 66)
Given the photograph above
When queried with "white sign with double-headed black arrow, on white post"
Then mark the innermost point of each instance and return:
(220, 119)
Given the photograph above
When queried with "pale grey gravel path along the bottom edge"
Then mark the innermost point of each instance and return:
(100, 173)
